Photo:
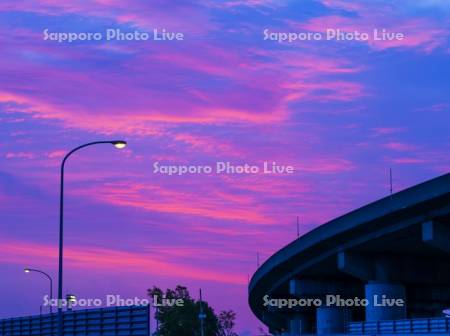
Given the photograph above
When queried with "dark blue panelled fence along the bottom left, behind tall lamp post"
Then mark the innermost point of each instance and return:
(102, 322)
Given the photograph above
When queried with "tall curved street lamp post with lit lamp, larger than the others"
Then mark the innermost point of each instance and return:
(118, 144)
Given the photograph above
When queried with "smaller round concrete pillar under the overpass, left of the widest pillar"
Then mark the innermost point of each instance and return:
(331, 320)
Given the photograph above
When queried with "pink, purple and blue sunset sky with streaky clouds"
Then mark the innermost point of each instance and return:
(341, 112)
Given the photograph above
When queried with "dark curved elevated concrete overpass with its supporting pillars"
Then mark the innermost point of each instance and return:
(403, 254)
